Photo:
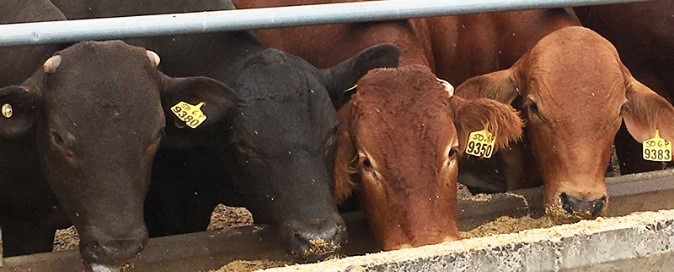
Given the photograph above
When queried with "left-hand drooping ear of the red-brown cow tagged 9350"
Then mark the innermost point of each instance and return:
(344, 157)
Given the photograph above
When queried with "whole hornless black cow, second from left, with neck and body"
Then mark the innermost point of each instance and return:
(276, 146)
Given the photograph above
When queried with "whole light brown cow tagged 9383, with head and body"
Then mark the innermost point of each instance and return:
(572, 87)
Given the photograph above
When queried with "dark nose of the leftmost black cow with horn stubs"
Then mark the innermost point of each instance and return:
(100, 249)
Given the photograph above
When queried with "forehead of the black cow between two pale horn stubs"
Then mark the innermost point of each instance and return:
(103, 83)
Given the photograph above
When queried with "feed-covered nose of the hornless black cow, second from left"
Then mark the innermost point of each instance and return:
(316, 239)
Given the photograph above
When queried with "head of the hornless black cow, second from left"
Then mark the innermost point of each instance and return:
(281, 142)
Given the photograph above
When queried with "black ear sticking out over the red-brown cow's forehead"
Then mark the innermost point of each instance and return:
(343, 76)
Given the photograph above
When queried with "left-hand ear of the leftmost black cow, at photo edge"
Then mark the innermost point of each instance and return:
(19, 109)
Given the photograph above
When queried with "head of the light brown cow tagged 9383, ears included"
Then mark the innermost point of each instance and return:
(575, 92)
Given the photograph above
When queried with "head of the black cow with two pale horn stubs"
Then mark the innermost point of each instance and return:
(96, 109)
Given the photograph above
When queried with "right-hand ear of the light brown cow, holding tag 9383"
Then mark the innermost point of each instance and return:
(645, 111)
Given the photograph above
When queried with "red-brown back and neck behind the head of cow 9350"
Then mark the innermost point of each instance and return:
(326, 45)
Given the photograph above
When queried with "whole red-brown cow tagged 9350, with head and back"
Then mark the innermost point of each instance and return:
(401, 134)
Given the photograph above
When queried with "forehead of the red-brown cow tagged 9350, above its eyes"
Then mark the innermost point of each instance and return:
(404, 111)
